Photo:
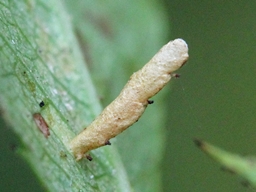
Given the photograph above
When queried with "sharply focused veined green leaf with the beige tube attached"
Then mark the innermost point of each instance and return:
(40, 61)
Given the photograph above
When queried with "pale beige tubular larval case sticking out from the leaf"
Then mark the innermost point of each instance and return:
(128, 107)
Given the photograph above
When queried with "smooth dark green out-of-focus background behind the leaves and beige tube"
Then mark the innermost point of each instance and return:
(213, 100)
